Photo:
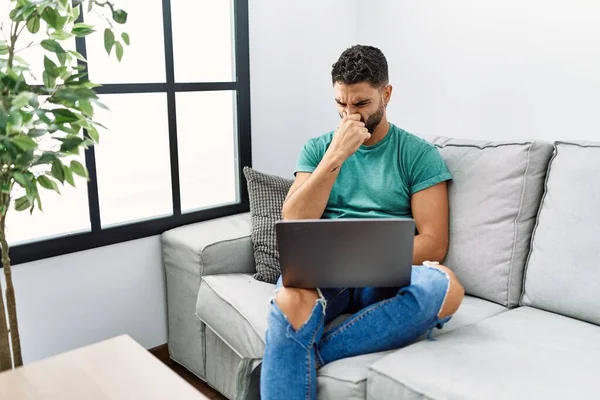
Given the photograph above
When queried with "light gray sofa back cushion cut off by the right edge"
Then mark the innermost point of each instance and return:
(563, 271)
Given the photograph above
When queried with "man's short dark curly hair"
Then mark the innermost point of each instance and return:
(361, 64)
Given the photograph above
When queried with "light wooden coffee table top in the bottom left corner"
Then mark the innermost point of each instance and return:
(118, 368)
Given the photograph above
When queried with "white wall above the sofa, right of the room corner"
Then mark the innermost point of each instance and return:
(490, 69)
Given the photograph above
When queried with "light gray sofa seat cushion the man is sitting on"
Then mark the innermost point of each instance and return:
(235, 307)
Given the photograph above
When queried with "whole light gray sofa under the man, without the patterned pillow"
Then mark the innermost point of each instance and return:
(525, 243)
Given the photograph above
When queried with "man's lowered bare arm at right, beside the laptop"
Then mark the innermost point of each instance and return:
(430, 212)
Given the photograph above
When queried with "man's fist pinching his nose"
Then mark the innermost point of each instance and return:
(348, 137)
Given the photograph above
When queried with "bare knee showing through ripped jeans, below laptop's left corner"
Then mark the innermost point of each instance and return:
(296, 304)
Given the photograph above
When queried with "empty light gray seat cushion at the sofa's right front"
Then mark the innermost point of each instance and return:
(524, 353)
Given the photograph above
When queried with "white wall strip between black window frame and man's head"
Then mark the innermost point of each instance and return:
(292, 47)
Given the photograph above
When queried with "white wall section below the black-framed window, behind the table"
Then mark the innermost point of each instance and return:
(77, 299)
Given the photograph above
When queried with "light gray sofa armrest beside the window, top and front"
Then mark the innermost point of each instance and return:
(218, 246)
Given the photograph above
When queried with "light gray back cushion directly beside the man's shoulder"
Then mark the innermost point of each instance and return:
(494, 198)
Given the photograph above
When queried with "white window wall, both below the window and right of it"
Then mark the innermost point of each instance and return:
(77, 299)
